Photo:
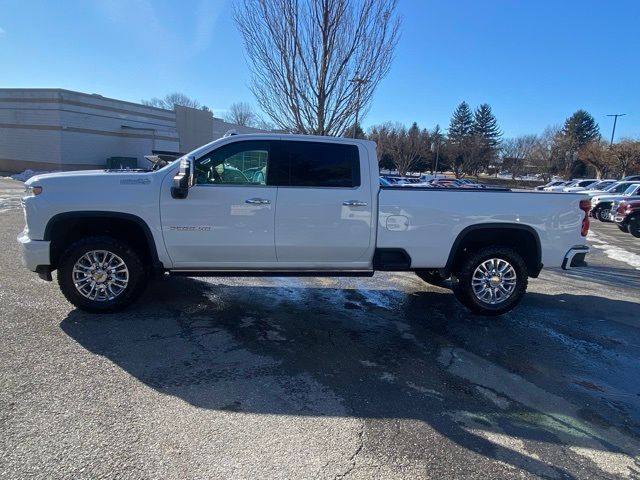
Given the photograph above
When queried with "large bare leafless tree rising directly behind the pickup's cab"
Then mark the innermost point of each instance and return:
(316, 64)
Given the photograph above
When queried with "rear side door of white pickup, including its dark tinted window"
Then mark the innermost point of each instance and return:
(324, 214)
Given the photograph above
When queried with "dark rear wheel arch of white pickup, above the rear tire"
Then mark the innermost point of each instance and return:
(522, 238)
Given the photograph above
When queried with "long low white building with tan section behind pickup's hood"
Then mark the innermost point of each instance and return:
(55, 129)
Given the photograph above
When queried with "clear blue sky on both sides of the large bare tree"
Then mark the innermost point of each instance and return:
(535, 62)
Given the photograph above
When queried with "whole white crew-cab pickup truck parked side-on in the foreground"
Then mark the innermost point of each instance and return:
(282, 205)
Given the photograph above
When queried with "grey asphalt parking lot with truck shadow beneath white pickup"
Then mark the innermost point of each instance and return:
(384, 377)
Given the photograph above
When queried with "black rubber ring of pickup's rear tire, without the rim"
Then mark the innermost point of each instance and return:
(464, 291)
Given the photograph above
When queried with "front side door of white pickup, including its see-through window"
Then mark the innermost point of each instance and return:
(227, 219)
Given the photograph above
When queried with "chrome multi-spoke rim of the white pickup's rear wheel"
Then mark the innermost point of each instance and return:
(494, 281)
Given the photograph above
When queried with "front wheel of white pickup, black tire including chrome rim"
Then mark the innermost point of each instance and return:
(97, 290)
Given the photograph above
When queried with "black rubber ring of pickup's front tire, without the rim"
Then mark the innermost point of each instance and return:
(128, 255)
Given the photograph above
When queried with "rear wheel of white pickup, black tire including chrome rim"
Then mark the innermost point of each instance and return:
(514, 280)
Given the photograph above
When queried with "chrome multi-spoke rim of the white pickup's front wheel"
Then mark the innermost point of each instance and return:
(100, 275)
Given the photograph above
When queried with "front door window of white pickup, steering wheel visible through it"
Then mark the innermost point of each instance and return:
(237, 163)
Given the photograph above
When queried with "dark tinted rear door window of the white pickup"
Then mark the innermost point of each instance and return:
(317, 164)
